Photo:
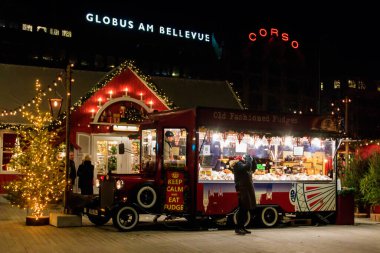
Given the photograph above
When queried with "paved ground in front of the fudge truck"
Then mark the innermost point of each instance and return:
(168, 237)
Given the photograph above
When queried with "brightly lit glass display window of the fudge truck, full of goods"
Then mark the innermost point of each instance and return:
(277, 157)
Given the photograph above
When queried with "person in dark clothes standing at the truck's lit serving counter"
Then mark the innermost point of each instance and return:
(242, 170)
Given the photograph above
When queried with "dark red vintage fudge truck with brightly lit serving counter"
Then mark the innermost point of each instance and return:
(295, 168)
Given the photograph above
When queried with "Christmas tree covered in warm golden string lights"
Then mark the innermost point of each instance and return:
(36, 158)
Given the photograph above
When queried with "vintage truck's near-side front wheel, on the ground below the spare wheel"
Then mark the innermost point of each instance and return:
(125, 218)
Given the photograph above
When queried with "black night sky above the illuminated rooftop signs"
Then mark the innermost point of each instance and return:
(346, 37)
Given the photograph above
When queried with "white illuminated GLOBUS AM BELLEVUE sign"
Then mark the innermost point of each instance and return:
(144, 27)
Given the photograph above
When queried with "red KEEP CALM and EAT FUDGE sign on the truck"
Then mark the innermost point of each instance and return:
(174, 201)
